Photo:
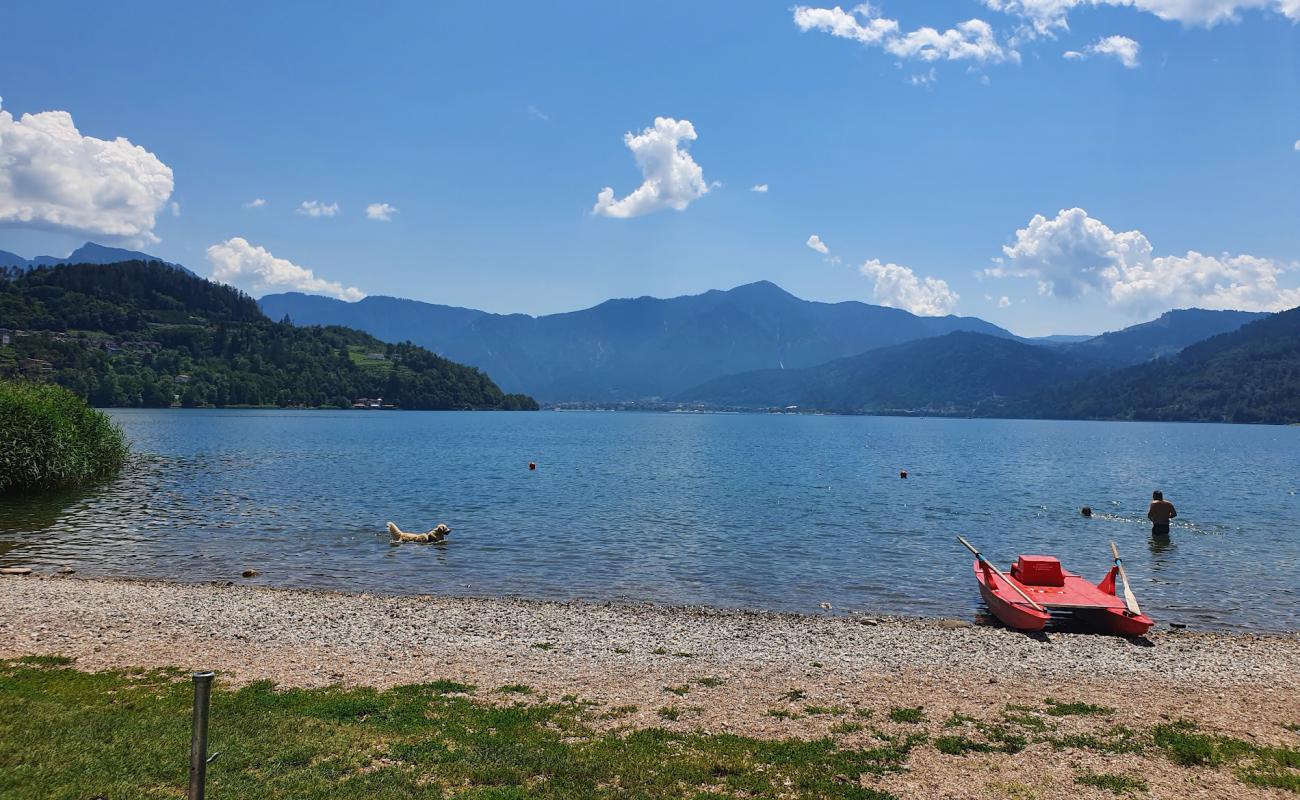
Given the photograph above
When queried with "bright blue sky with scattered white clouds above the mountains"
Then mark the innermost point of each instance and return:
(492, 129)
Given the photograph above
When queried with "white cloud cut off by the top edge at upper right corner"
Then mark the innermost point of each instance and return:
(1045, 18)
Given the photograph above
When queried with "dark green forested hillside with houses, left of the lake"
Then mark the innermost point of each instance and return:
(146, 335)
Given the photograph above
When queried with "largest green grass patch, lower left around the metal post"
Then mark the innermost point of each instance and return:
(72, 734)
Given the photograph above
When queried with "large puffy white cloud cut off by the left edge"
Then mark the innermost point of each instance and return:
(54, 178)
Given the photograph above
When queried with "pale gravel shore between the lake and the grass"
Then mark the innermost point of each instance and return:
(738, 667)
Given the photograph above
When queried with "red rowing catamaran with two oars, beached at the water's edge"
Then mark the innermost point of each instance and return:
(1038, 586)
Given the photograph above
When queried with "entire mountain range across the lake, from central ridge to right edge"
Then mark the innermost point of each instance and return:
(759, 347)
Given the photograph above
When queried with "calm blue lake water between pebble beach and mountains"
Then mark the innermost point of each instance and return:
(727, 511)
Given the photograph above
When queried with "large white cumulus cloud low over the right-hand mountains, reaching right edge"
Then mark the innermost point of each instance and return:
(1076, 256)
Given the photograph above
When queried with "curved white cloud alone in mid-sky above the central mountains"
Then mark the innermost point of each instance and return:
(673, 179)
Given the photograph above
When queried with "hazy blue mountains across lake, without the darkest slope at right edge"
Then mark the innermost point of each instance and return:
(703, 348)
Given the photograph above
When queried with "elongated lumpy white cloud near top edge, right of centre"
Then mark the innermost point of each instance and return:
(970, 41)
